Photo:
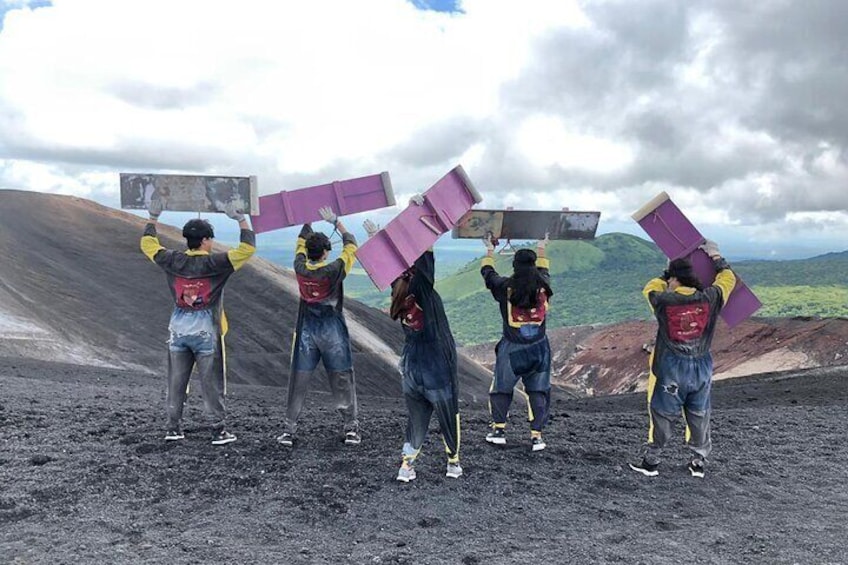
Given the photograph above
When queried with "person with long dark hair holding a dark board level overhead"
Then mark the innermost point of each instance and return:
(523, 352)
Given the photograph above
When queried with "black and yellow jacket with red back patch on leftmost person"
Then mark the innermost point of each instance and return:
(196, 278)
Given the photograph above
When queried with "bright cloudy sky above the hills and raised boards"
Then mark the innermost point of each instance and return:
(731, 107)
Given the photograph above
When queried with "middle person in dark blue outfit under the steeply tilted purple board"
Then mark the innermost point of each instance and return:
(428, 363)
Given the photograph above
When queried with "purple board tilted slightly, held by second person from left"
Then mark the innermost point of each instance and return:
(295, 207)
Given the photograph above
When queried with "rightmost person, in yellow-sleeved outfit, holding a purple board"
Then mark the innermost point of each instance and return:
(681, 365)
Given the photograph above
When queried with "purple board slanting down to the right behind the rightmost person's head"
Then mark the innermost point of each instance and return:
(675, 235)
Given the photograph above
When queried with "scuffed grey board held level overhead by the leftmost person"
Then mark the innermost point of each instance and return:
(189, 193)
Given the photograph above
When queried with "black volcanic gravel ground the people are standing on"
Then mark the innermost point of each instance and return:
(86, 478)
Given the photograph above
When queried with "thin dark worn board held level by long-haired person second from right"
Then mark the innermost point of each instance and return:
(527, 224)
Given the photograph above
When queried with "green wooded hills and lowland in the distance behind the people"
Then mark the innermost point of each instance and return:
(600, 281)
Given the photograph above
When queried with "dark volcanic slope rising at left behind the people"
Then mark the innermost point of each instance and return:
(75, 287)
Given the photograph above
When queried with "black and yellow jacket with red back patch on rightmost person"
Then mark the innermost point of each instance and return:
(686, 316)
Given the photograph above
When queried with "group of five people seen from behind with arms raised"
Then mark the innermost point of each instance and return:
(681, 364)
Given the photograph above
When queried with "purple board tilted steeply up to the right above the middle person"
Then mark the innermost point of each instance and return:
(393, 249)
